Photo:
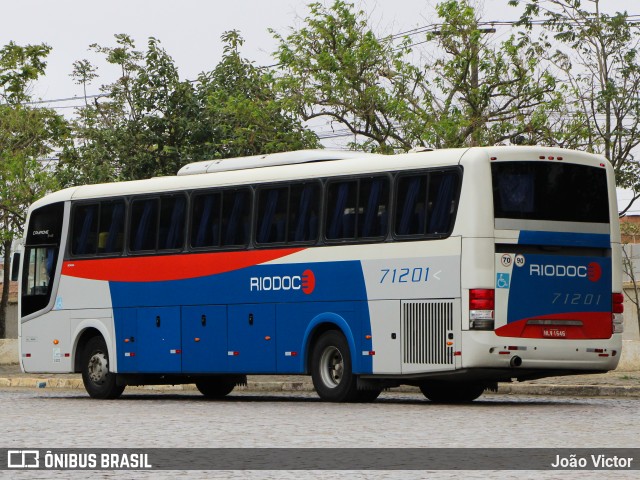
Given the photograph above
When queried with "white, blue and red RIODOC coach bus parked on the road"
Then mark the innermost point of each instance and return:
(450, 270)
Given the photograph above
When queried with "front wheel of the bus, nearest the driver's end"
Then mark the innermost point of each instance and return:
(98, 381)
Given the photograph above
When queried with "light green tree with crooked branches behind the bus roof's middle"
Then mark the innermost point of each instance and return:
(335, 66)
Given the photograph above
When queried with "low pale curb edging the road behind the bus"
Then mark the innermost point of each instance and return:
(503, 389)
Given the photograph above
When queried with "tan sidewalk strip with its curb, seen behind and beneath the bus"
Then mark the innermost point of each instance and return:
(611, 384)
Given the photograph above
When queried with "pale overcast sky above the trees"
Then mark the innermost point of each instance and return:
(190, 30)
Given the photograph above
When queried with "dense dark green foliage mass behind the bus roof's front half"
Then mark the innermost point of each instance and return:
(151, 123)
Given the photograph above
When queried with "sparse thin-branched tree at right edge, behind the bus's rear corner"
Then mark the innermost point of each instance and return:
(598, 56)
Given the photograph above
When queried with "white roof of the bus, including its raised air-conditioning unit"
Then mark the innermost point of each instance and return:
(305, 164)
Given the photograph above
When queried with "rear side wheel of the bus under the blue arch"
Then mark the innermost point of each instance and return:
(331, 370)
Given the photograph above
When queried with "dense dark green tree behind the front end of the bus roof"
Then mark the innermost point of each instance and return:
(141, 125)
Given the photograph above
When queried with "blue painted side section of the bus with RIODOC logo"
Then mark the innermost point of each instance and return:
(244, 321)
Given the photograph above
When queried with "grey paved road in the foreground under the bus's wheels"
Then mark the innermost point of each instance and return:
(47, 418)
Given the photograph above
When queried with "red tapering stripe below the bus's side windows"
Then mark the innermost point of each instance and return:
(169, 267)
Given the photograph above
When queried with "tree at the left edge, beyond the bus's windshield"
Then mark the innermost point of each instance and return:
(26, 135)
